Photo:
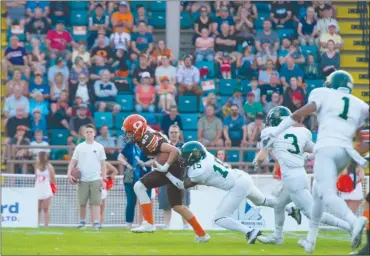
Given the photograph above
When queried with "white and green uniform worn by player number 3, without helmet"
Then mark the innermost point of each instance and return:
(289, 148)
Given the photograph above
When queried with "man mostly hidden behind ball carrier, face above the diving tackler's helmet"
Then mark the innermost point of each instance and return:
(174, 137)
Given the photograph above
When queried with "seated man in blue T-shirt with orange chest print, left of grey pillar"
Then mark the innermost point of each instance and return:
(141, 41)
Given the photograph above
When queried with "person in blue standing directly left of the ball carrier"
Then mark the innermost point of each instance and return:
(129, 157)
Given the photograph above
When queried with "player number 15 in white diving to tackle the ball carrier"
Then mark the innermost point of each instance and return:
(205, 169)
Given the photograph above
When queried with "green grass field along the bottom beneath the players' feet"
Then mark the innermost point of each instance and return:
(115, 241)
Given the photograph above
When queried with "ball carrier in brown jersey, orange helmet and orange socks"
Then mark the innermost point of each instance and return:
(153, 143)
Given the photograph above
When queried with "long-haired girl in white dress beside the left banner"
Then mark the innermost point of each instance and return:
(45, 174)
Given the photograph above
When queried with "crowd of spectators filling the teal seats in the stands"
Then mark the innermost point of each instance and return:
(68, 62)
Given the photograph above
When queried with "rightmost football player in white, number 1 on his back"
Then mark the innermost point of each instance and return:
(340, 115)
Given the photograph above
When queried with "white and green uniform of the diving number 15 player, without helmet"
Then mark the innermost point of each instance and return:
(212, 172)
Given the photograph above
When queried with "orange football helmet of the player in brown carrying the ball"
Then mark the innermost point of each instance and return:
(134, 127)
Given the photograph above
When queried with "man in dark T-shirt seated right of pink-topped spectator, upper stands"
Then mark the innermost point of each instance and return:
(225, 42)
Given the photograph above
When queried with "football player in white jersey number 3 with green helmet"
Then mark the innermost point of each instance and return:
(289, 149)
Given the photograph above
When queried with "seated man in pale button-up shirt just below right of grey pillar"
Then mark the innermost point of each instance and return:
(188, 78)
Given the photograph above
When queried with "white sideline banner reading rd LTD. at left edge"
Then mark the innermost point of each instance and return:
(19, 207)
